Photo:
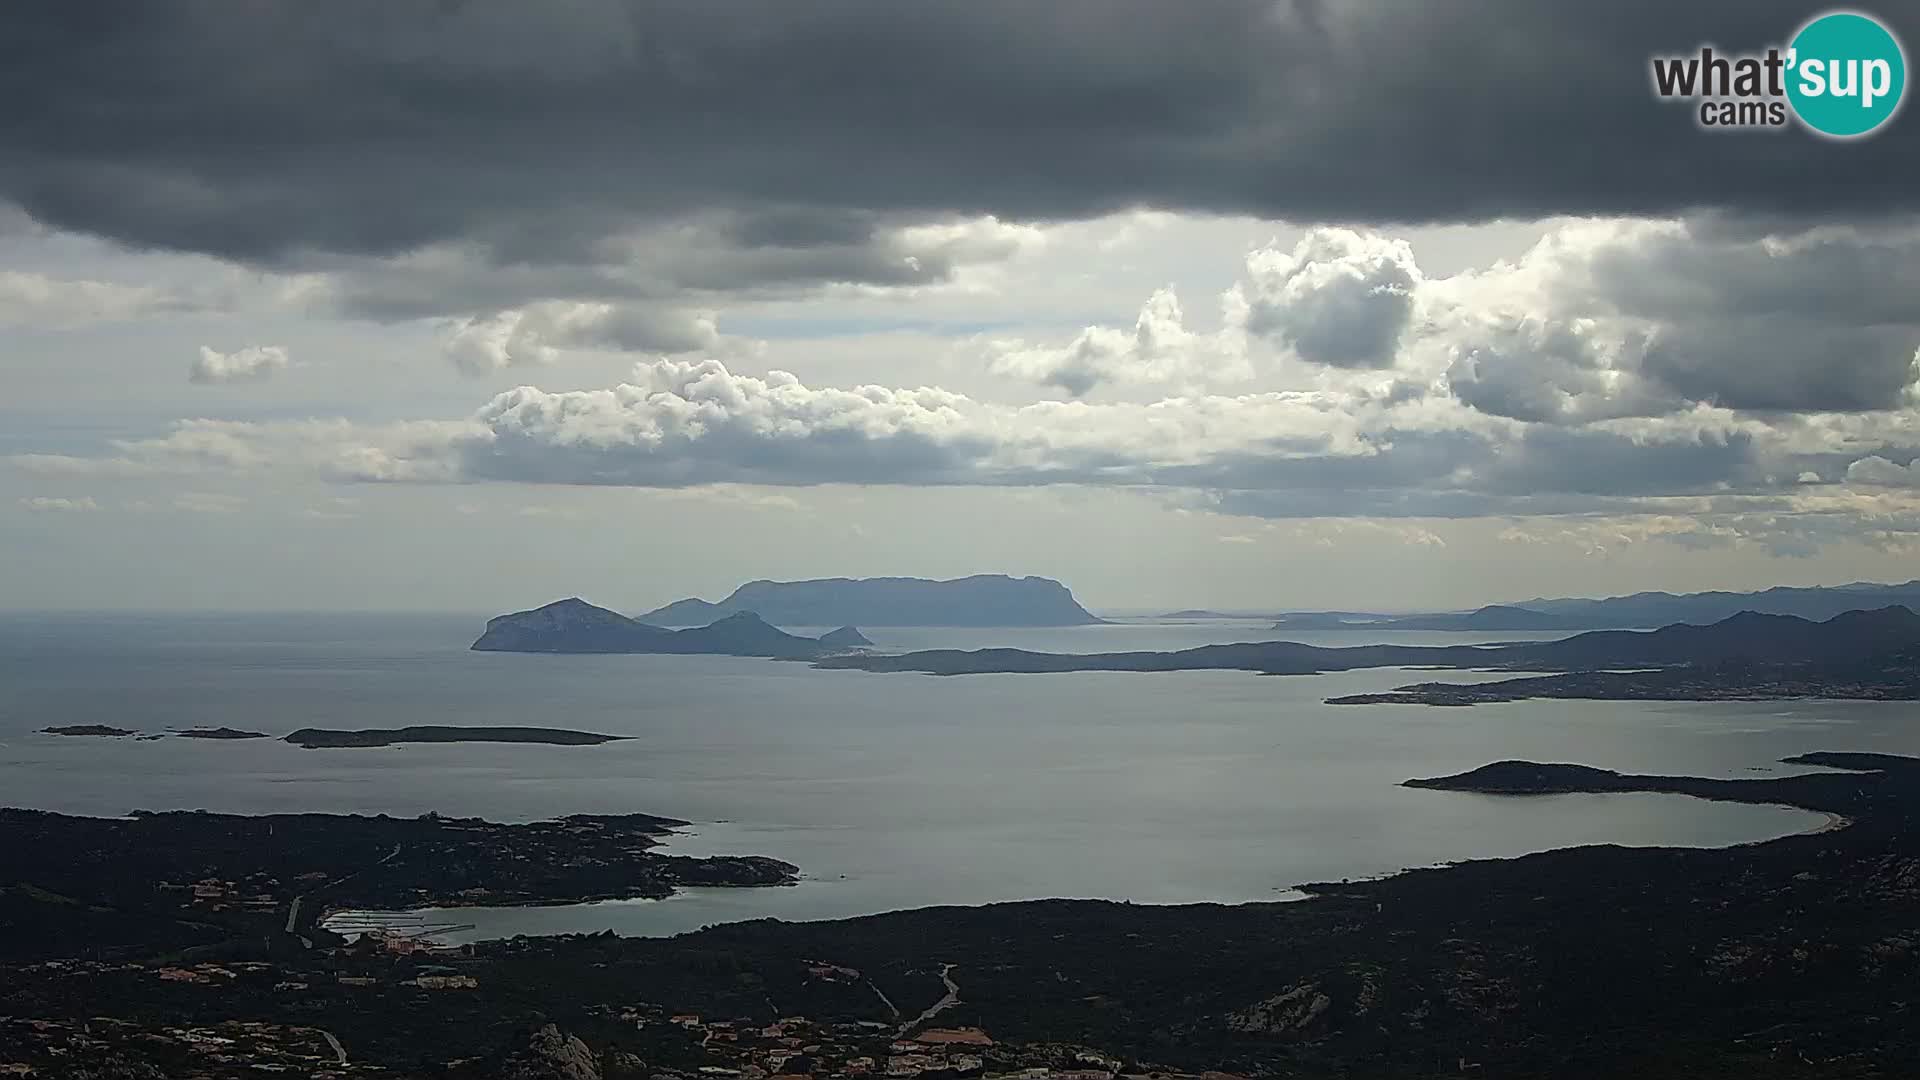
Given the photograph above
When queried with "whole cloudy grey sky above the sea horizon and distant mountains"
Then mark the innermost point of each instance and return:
(1262, 307)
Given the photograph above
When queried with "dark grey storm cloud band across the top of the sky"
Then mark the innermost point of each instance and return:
(274, 130)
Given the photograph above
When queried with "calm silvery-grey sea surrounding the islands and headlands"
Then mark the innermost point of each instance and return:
(888, 791)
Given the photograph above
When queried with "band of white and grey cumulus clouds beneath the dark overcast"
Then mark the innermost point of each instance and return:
(1608, 368)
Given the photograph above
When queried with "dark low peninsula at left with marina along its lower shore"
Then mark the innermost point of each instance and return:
(176, 881)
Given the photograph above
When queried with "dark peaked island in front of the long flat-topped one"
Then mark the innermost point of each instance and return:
(579, 627)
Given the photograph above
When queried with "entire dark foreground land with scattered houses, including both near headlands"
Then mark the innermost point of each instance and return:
(191, 946)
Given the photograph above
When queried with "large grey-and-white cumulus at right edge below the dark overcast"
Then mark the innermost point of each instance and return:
(1631, 318)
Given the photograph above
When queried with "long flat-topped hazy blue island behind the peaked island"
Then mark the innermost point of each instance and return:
(980, 601)
